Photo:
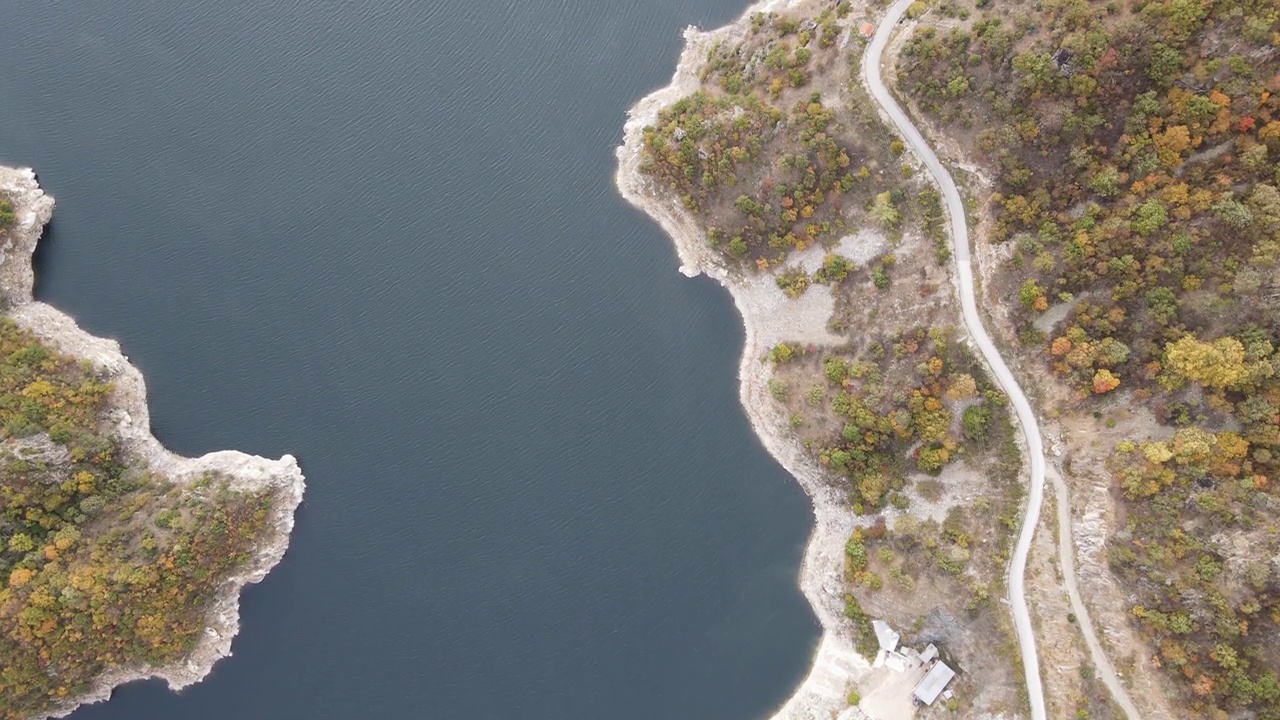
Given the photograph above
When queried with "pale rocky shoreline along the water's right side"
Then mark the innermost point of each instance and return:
(769, 318)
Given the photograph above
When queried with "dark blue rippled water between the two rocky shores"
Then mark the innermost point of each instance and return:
(383, 236)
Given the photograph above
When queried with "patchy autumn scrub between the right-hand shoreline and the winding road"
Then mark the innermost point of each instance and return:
(769, 165)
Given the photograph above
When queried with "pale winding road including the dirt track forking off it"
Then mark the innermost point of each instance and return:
(1022, 407)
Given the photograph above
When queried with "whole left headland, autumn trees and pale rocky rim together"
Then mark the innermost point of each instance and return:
(118, 559)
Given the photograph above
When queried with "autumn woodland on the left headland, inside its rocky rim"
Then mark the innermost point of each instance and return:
(103, 564)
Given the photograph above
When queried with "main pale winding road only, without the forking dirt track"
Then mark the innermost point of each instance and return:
(973, 322)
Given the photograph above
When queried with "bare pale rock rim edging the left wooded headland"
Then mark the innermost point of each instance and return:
(129, 413)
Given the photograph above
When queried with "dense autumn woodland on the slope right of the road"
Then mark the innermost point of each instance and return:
(1137, 149)
